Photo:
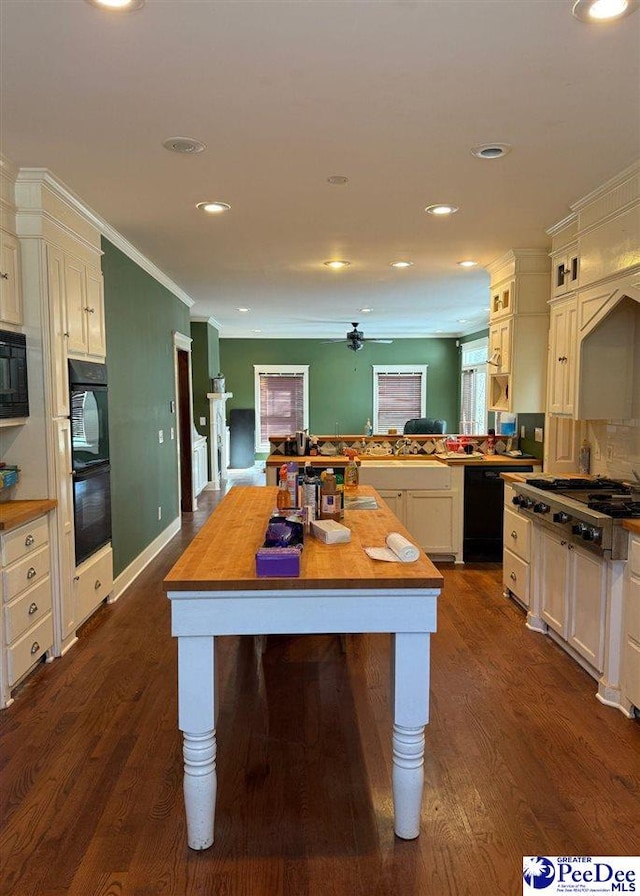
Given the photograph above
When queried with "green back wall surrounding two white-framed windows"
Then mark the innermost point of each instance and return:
(341, 381)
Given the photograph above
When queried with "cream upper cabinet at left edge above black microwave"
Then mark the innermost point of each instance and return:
(10, 280)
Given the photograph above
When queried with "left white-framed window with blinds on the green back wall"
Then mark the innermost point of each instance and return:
(281, 401)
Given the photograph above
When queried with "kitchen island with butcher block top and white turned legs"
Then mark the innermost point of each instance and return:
(214, 591)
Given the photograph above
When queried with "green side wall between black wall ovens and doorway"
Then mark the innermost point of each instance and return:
(141, 317)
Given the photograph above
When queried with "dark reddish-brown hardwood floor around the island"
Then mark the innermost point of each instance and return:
(521, 760)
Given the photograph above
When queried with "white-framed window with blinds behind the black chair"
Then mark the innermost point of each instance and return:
(399, 394)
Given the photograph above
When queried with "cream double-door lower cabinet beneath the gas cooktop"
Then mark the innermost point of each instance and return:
(572, 594)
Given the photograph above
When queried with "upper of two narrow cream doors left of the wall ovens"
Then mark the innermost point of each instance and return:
(59, 332)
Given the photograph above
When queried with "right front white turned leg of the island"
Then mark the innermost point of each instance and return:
(410, 688)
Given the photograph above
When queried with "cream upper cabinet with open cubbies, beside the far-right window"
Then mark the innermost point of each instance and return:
(518, 331)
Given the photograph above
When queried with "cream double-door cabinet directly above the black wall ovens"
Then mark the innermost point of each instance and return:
(84, 308)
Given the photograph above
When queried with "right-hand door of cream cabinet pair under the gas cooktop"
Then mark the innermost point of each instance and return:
(587, 603)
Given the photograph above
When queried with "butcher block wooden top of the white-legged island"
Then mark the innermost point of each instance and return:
(222, 555)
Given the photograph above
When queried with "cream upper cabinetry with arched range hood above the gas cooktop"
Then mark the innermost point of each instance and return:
(594, 348)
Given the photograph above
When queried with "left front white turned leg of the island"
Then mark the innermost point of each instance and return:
(197, 707)
